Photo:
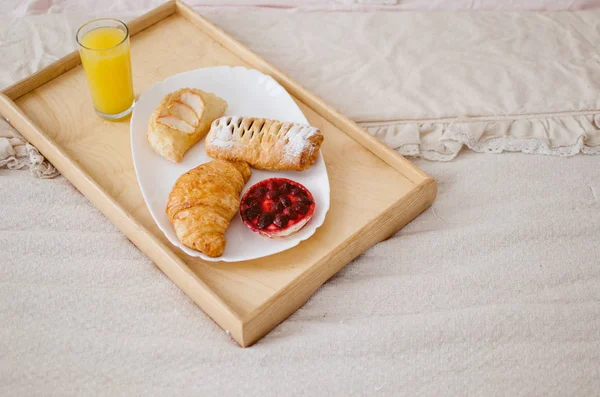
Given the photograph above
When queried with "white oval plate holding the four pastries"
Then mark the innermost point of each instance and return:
(248, 93)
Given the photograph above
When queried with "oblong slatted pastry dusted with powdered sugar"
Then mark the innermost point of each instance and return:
(264, 144)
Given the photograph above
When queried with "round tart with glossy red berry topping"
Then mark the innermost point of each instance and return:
(277, 207)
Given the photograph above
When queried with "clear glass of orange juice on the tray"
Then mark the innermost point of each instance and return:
(104, 52)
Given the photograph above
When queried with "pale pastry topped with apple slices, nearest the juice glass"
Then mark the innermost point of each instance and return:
(181, 120)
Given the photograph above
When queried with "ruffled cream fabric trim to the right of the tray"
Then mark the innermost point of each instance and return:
(562, 135)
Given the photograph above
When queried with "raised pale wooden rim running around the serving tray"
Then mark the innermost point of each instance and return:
(245, 331)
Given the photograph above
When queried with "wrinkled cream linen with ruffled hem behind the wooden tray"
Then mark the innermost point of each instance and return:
(489, 81)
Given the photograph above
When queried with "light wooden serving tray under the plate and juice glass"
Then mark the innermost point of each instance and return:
(374, 191)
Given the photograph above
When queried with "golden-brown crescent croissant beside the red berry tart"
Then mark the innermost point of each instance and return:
(203, 201)
